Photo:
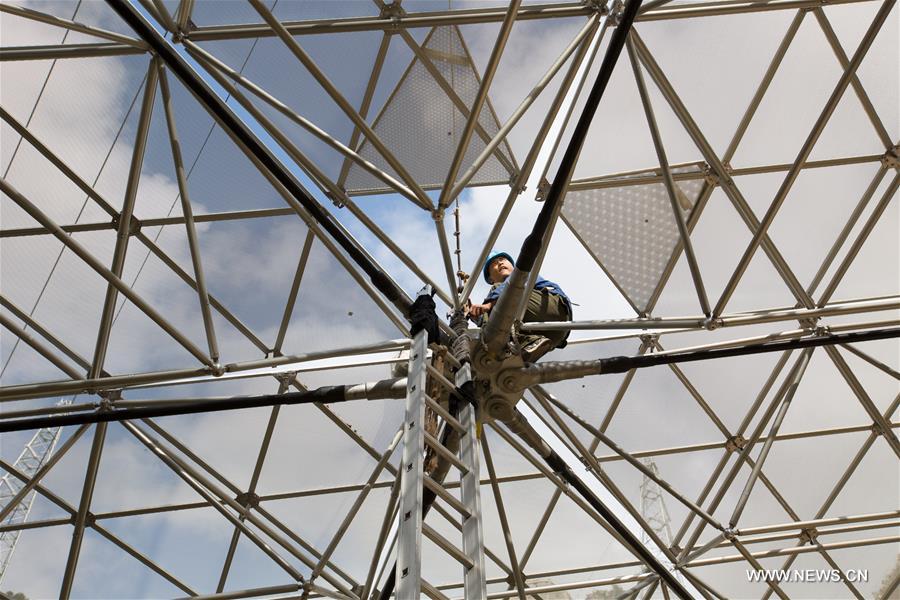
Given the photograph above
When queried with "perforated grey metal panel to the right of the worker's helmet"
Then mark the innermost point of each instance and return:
(630, 230)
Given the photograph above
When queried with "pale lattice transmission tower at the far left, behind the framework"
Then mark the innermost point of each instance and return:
(33, 457)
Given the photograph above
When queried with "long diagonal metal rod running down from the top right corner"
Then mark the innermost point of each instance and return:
(805, 150)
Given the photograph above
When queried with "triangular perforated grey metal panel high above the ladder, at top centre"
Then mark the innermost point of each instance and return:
(421, 125)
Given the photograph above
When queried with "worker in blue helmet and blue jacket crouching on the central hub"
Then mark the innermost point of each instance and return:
(546, 302)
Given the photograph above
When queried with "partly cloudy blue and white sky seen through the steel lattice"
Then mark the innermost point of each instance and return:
(714, 64)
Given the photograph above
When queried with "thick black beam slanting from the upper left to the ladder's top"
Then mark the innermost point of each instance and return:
(266, 158)
